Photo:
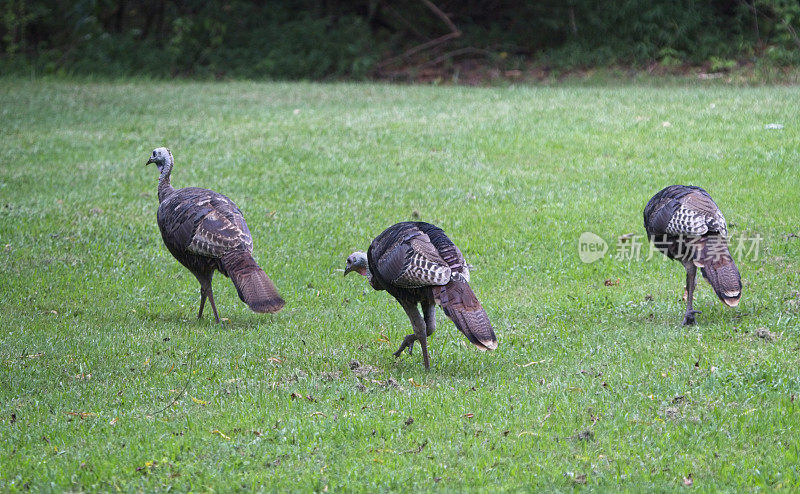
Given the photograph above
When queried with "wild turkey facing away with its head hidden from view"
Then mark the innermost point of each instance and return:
(685, 224)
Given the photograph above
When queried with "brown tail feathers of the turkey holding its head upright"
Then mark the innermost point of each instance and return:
(254, 286)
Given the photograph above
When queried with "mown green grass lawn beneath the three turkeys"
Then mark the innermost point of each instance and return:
(98, 319)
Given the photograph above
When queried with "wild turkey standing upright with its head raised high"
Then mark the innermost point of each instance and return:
(205, 231)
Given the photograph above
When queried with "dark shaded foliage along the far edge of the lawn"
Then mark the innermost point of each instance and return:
(319, 39)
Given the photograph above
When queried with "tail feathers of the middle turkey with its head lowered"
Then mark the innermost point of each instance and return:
(462, 306)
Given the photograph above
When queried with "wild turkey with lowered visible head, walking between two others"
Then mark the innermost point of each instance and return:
(417, 264)
